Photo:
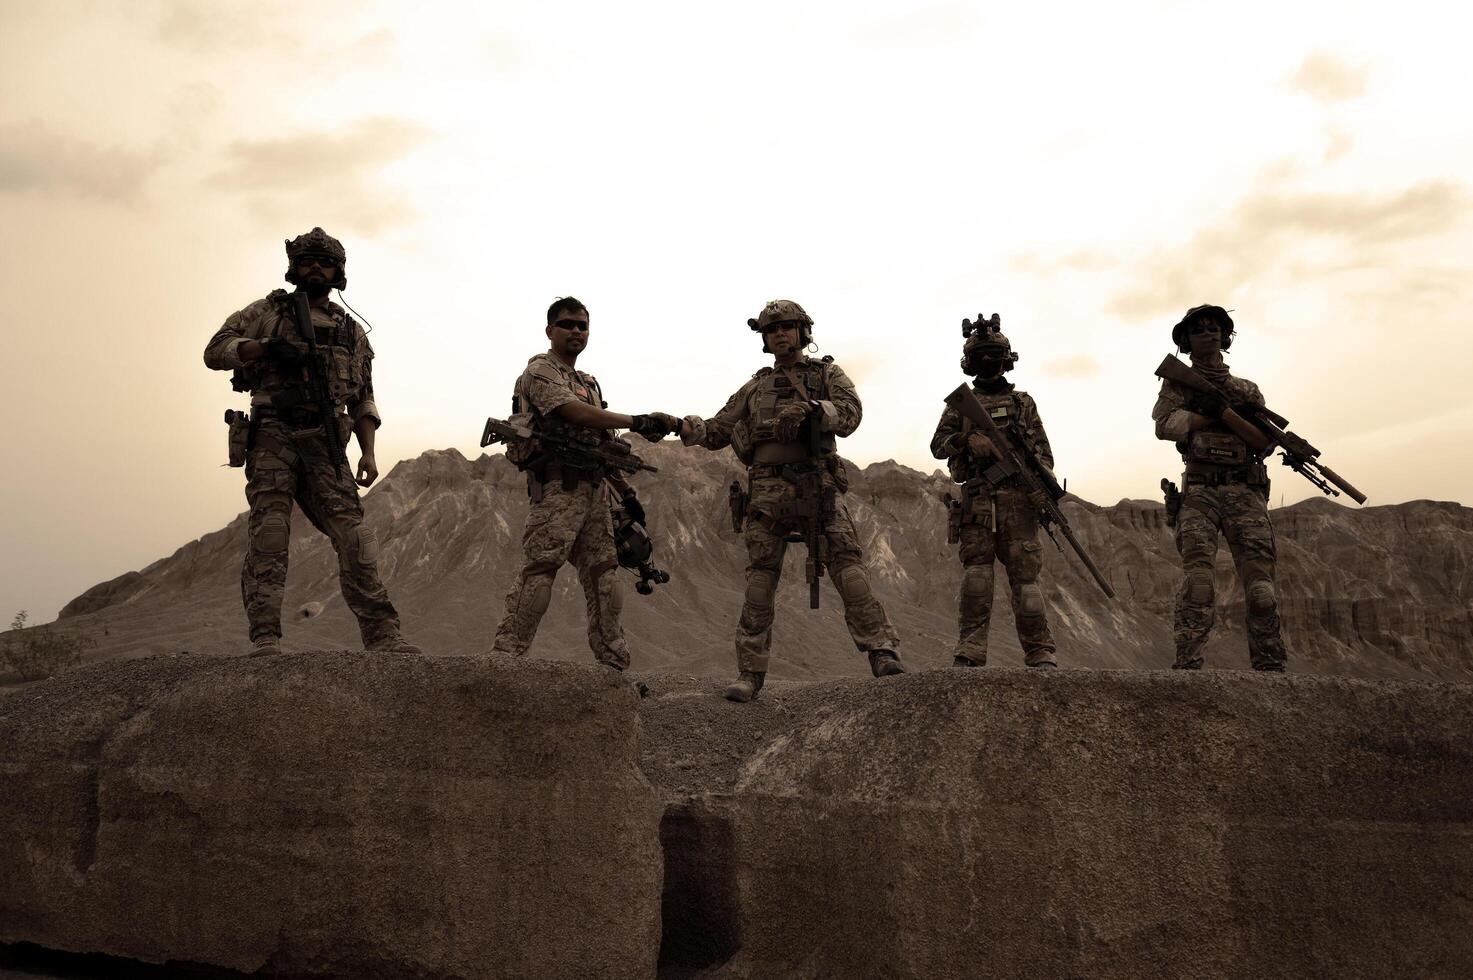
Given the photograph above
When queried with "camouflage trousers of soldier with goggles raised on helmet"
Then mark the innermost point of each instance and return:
(1002, 527)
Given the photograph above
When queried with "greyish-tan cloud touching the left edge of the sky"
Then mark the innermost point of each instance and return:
(33, 158)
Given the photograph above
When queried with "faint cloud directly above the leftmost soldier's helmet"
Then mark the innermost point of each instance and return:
(335, 175)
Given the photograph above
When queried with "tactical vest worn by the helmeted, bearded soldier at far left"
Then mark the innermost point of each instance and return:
(338, 347)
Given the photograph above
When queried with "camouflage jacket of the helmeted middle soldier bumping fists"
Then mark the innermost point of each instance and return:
(746, 421)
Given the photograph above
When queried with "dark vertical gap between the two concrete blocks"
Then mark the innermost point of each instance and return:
(699, 911)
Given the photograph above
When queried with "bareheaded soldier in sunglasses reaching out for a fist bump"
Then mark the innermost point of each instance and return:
(569, 518)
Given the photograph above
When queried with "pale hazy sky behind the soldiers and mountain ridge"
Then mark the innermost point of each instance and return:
(1085, 170)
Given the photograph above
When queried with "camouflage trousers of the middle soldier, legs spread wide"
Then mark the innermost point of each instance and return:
(767, 546)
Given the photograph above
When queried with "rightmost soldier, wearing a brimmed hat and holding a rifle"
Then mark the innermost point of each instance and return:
(1225, 490)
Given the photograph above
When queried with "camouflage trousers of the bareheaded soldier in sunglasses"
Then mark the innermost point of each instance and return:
(568, 525)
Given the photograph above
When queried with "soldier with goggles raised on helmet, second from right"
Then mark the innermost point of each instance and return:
(998, 521)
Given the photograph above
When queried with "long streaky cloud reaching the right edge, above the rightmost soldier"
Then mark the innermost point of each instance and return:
(1265, 228)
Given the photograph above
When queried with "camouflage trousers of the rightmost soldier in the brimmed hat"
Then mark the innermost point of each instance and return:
(1241, 514)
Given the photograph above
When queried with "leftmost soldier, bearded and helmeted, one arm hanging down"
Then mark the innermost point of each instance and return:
(289, 461)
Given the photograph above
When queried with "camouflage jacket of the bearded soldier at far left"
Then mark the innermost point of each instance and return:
(340, 341)
